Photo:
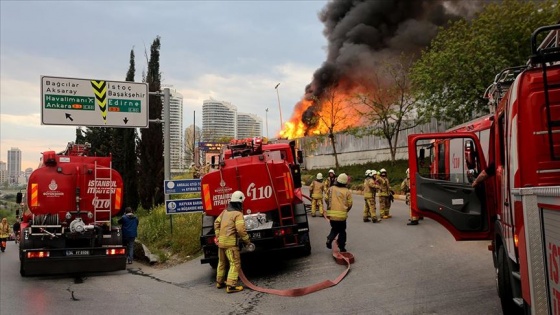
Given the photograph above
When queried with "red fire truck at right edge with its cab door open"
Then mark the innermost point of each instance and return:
(518, 208)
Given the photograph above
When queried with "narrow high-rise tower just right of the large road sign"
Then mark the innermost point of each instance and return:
(177, 162)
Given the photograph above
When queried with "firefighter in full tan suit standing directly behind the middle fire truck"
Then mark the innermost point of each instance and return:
(228, 227)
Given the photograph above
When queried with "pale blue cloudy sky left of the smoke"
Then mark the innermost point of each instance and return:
(234, 51)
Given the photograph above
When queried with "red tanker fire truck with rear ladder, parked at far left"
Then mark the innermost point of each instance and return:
(71, 199)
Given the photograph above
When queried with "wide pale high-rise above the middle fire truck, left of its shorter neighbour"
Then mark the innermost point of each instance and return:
(219, 120)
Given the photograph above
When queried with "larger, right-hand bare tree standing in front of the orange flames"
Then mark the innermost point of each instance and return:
(390, 107)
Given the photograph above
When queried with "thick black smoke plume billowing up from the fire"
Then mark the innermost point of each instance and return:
(361, 33)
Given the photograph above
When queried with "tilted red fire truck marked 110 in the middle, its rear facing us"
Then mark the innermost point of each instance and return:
(269, 175)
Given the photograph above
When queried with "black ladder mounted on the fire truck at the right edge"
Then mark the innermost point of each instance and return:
(548, 52)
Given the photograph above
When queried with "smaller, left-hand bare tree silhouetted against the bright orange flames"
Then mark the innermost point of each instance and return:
(334, 116)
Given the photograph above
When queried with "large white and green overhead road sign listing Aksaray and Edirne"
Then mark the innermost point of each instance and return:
(100, 103)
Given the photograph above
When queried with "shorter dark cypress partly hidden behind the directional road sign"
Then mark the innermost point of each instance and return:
(124, 152)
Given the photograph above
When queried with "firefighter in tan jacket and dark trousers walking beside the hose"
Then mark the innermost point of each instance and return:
(340, 202)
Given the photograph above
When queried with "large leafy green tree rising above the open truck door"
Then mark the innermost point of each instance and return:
(462, 60)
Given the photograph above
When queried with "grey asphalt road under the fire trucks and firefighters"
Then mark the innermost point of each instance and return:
(399, 269)
